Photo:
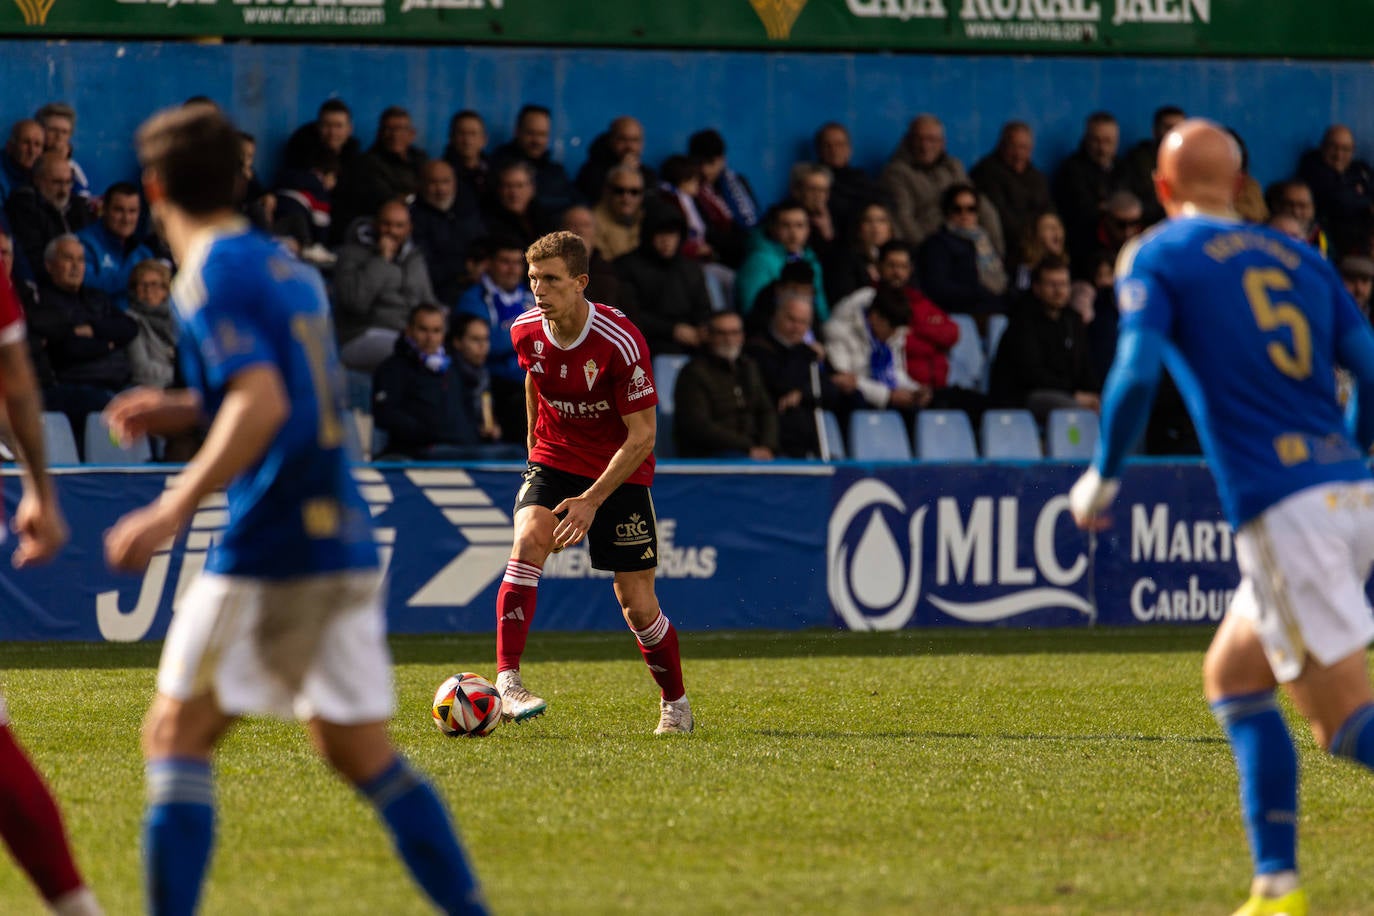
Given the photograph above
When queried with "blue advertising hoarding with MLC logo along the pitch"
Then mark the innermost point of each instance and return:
(741, 546)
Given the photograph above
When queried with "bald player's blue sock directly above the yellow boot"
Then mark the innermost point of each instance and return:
(1268, 766)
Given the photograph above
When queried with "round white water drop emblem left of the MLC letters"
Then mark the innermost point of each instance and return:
(870, 586)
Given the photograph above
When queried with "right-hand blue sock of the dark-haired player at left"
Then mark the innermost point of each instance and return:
(425, 838)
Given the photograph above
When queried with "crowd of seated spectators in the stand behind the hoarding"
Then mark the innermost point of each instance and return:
(844, 295)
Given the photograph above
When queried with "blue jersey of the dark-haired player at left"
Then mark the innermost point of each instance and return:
(244, 301)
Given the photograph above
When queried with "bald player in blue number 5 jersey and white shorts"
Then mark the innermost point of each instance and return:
(1252, 326)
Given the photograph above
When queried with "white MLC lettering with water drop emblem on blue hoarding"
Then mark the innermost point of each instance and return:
(979, 569)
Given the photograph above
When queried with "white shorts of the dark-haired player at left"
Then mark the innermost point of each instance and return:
(308, 649)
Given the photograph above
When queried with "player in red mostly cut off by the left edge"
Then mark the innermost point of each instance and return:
(30, 819)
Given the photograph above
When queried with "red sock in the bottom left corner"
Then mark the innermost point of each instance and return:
(31, 823)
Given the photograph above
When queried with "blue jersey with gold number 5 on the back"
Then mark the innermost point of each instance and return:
(1252, 322)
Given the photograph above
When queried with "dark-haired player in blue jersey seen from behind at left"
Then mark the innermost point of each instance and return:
(288, 617)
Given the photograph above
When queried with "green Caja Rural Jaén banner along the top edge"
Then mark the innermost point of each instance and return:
(1262, 28)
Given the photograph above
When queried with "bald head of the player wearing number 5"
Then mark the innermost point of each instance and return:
(1200, 165)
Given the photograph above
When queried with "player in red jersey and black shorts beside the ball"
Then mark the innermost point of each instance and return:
(590, 403)
